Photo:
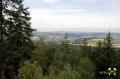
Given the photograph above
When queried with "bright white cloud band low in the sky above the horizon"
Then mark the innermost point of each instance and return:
(52, 20)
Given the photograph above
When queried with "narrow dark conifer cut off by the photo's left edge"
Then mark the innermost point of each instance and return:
(3, 34)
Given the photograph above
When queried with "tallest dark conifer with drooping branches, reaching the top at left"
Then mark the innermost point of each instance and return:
(17, 35)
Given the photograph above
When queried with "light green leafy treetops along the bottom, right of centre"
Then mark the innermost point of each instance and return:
(86, 70)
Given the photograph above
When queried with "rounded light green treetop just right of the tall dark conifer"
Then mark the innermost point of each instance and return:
(40, 54)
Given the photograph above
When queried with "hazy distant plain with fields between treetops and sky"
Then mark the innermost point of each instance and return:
(76, 37)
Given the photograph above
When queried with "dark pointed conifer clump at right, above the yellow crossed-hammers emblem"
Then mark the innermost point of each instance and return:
(104, 52)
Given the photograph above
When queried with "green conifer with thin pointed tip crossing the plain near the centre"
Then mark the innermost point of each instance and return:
(62, 54)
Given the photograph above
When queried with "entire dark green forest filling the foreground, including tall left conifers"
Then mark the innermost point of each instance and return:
(22, 58)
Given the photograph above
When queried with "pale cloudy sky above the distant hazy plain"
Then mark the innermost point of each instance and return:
(75, 15)
